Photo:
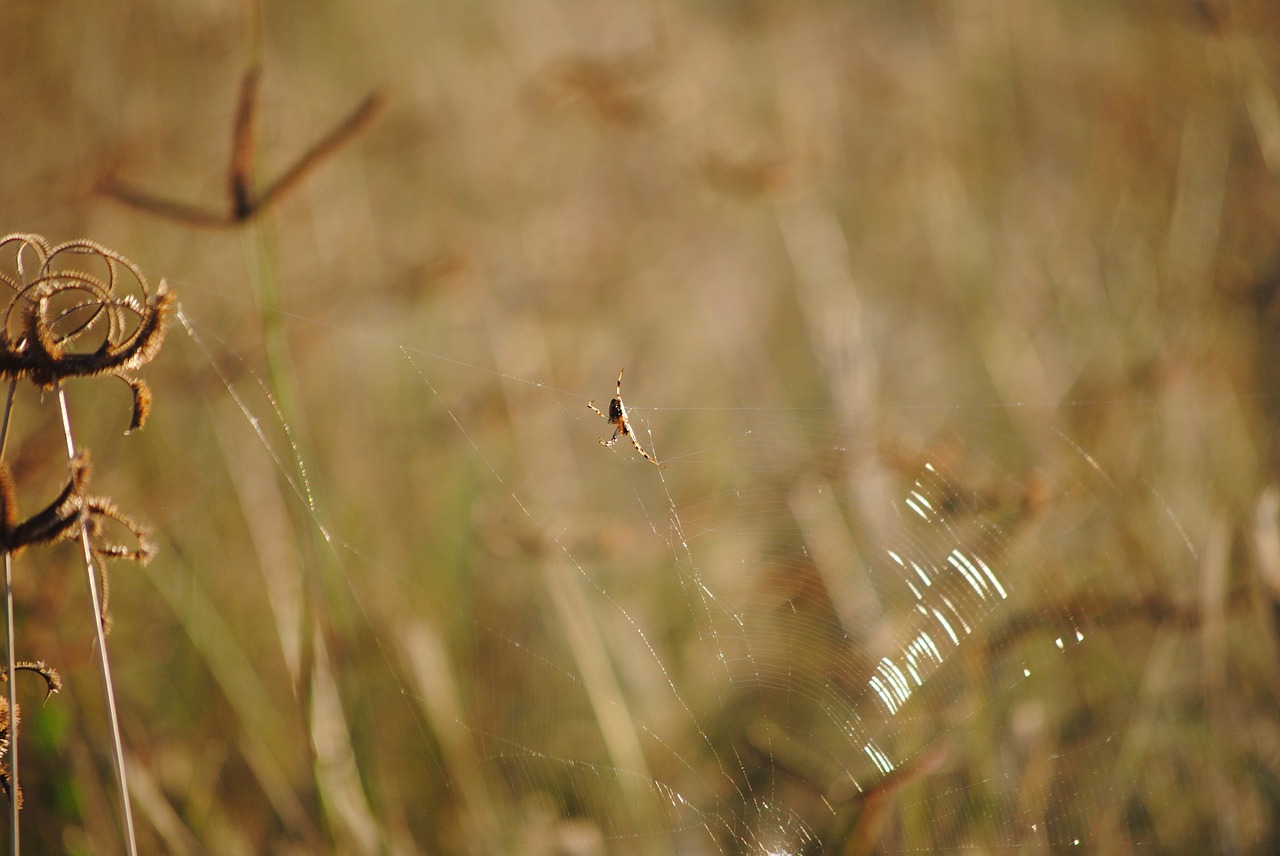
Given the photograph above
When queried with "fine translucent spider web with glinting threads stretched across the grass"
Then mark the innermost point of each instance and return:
(794, 638)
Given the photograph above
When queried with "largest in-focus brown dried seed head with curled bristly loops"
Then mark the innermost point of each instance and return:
(68, 318)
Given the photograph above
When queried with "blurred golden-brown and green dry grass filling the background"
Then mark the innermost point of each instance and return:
(1045, 231)
